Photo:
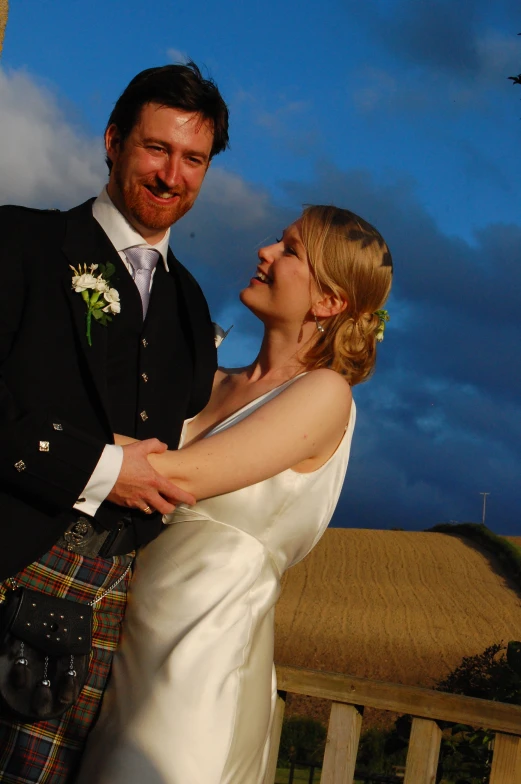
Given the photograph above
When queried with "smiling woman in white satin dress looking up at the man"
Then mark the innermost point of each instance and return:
(192, 689)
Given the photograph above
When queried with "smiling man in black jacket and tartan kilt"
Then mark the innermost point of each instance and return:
(122, 343)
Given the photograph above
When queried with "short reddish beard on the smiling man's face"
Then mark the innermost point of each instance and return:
(146, 213)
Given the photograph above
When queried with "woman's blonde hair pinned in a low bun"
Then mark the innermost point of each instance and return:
(349, 259)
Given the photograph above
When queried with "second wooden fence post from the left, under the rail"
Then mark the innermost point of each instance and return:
(343, 736)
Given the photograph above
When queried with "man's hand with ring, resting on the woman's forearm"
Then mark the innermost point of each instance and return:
(139, 486)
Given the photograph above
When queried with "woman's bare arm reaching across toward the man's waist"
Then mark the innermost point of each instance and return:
(305, 421)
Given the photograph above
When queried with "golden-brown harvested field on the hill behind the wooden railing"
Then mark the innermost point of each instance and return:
(397, 606)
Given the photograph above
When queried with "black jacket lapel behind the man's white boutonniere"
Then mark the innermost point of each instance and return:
(86, 243)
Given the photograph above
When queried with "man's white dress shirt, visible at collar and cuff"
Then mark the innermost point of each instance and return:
(122, 235)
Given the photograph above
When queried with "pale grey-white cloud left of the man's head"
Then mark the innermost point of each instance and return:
(45, 161)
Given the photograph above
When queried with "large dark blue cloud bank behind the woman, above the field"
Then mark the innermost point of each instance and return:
(439, 422)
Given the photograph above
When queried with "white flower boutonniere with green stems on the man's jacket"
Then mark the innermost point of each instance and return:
(102, 301)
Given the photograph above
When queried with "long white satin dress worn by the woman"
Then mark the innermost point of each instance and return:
(193, 685)
